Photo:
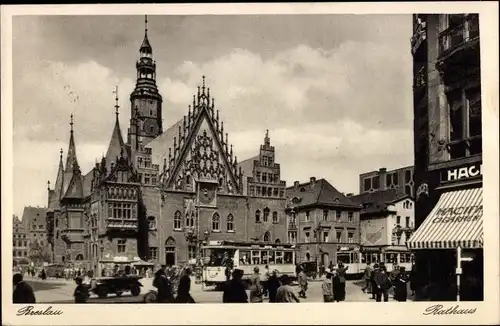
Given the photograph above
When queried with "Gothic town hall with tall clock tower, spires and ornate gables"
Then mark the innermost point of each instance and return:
(156, 196)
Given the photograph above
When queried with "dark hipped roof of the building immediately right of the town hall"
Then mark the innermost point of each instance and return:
(320, 193)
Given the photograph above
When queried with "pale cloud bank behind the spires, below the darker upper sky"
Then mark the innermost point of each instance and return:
(332, 113)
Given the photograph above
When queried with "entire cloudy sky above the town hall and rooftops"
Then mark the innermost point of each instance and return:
(335, 91)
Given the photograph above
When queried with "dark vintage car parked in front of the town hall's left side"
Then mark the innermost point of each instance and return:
(117, 285)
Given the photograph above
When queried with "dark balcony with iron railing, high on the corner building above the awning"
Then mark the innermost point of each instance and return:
(459, 45)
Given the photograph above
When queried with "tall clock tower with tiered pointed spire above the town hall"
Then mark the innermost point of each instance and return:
(145, 100)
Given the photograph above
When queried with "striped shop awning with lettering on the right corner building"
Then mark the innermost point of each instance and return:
(455, 221)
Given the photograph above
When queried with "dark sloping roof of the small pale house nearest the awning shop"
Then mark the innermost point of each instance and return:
(378, 202)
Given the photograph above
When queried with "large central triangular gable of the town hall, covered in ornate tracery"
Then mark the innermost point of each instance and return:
(200, 152)
